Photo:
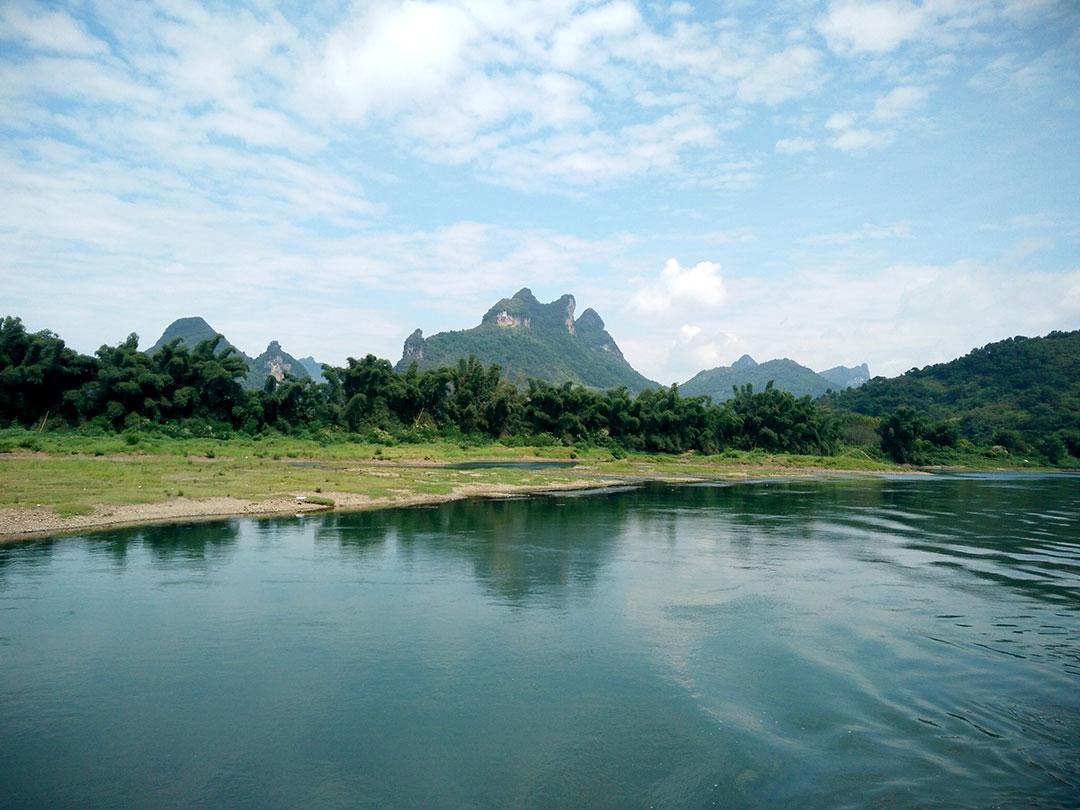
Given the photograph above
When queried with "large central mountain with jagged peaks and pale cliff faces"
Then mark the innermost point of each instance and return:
(532, 340)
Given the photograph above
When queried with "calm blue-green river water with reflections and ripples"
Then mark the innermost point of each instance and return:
(836, 644)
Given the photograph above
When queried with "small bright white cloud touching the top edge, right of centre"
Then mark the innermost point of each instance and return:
(853, 28)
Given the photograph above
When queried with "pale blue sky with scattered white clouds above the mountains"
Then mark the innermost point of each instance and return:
(889, 182)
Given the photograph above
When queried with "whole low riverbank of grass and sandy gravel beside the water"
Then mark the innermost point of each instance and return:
(74, 484)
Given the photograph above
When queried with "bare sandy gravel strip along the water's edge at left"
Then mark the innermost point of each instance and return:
(30, 524)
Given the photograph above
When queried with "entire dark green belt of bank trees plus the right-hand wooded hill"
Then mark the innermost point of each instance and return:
(1018, 401)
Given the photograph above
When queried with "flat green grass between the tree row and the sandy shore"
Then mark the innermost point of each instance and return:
(74, 474)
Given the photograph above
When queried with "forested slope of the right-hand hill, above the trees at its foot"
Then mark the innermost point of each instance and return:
(1021, 391)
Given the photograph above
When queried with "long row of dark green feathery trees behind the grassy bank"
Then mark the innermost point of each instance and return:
(199, 391)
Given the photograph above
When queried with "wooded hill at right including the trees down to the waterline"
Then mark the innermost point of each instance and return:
(1016, 397)
